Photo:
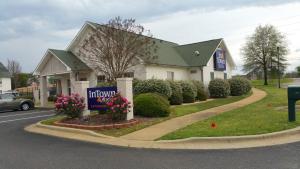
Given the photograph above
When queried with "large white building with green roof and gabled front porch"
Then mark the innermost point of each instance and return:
(201, 61)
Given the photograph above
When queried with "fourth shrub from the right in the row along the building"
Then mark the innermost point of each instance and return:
(189, 92)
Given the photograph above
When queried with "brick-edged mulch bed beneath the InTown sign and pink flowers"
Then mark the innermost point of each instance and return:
(96, 122)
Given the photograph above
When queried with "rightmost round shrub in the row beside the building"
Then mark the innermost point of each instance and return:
(239, 86)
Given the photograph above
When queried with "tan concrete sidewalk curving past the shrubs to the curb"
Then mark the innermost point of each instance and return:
(161, 129)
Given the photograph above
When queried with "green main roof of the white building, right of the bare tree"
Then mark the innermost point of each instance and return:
(169, 53)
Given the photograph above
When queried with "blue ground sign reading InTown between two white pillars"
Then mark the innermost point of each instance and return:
(98, 96)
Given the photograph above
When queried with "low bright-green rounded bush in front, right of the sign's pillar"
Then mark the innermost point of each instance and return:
(151, 105)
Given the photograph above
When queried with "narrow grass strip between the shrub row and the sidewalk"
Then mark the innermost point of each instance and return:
(176, 111)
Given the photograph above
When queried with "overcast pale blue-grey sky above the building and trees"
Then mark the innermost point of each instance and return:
(29, 27)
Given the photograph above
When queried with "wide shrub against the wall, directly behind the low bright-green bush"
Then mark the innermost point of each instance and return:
(153, 86)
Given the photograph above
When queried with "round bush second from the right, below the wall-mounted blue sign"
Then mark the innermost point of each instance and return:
(219, 88)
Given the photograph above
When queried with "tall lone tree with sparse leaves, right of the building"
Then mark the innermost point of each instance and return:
(260, 51)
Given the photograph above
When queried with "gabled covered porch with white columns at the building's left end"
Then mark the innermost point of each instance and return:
(65, 69)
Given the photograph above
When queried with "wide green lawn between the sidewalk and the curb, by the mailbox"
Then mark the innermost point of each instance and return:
(257, 118)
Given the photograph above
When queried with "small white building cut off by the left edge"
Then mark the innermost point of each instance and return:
(5, 80)
